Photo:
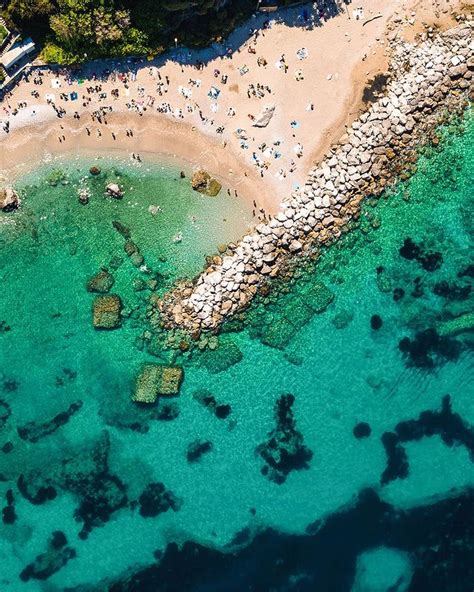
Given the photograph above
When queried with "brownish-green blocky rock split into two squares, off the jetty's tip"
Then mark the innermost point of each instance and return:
(155, 380)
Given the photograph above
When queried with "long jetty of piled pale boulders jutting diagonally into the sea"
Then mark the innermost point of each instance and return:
(429, 82)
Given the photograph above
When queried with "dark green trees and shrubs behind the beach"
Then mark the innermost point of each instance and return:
(72, 31)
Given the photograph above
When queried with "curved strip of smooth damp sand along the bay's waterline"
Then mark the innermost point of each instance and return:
(182, 148)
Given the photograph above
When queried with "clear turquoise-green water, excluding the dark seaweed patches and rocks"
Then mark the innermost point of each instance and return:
(339, 376)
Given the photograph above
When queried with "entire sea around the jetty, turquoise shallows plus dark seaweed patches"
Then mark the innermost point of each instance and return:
(323, 441)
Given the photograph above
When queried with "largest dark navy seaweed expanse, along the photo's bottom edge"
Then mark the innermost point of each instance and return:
(439, 538)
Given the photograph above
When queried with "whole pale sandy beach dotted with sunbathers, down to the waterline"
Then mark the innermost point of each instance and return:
(300, 81)
